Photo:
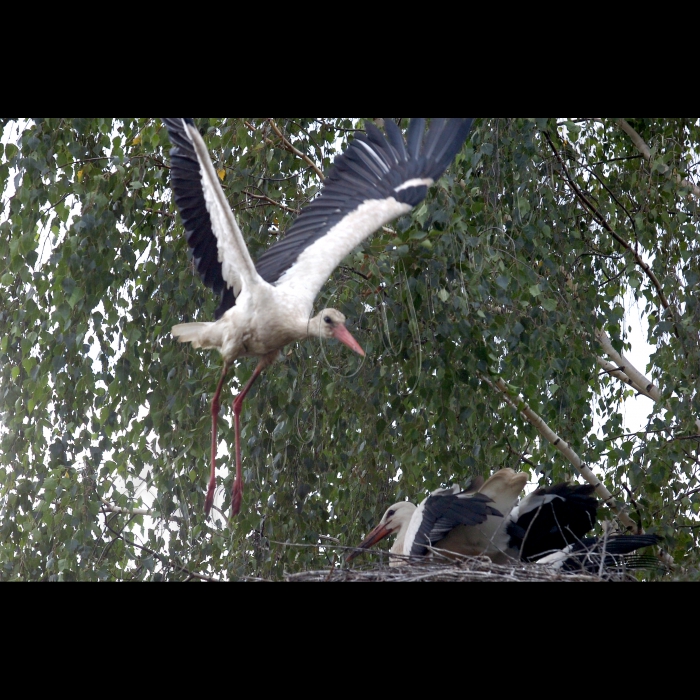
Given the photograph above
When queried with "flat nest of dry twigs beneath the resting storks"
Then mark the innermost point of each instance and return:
(461, 569)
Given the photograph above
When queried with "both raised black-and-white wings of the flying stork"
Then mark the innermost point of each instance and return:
(377, 179)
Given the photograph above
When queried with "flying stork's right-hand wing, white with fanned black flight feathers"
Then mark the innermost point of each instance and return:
(377, 179)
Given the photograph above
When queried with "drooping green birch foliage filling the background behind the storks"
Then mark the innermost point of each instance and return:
(537, 241)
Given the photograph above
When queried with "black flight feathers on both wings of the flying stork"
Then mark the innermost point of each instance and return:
(357, 176)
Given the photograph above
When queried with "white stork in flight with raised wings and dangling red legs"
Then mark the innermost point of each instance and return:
(268, 304)
